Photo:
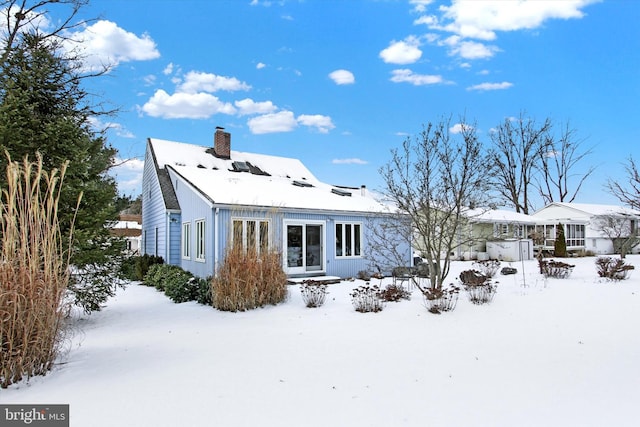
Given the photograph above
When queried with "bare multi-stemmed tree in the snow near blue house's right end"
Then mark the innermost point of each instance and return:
(433, 179)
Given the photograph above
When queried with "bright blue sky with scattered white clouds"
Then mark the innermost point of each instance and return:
(337, 84)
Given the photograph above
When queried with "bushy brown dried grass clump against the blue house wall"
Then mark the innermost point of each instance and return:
(248, 279)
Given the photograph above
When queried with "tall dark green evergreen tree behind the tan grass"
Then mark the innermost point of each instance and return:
(43, 108)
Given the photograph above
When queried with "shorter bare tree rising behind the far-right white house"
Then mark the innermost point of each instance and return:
(557, 181)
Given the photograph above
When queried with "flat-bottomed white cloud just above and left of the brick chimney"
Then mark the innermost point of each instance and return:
(185, 105)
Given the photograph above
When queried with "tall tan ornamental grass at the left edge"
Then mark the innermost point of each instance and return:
(34, 272)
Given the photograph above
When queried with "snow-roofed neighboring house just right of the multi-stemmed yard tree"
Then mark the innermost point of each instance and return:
(497, 234)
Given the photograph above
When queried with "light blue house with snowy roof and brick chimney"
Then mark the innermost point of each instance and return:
(196, 199)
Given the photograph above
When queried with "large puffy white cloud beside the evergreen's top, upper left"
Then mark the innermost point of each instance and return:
(106, 44)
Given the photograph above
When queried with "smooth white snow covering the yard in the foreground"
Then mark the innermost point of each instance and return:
(544, 353)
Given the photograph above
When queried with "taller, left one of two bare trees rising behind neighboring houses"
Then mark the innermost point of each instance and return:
(514, 159)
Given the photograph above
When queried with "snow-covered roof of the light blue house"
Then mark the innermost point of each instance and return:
(250, 179)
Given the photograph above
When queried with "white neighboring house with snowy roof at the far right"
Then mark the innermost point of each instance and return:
(587, 227)
